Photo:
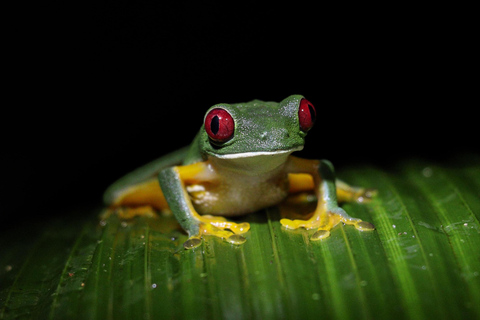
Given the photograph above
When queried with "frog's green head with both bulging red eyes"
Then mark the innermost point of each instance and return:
(234, 131)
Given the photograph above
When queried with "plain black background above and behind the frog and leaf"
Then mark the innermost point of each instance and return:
(97, 89)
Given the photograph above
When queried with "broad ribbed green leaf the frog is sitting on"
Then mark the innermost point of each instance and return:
(422, 261)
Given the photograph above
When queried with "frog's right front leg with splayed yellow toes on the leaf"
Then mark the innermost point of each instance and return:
(327, 213)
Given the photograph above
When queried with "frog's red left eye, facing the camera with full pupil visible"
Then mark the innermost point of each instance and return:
(219, 125)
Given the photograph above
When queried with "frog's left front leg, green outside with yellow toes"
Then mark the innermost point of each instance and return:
(172, 182)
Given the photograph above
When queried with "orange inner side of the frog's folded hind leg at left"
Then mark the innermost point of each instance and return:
(142, 199)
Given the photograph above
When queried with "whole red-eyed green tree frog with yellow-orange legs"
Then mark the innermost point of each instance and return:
(239, 162)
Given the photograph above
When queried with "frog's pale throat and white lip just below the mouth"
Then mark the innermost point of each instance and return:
(252, 163)
